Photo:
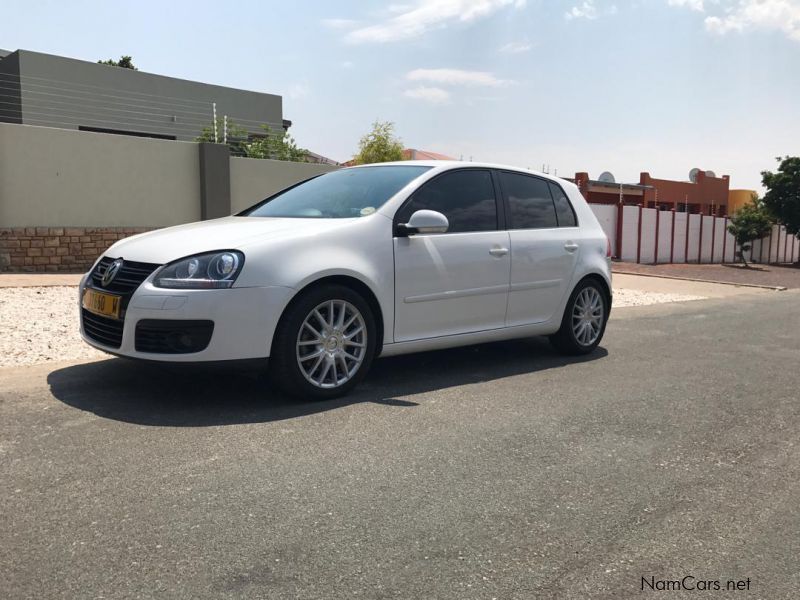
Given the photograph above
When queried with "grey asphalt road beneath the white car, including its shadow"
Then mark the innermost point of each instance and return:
(495, 472)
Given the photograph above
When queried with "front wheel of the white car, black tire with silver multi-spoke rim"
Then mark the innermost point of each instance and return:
(324, 343)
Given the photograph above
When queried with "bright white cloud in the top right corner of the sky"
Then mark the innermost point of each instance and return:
(744, 15)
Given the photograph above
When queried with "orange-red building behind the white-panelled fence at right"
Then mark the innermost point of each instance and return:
(703, 194)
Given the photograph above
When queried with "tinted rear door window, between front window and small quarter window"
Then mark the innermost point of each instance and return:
(529, 200)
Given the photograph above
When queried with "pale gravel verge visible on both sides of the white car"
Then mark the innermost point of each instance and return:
(40, 324)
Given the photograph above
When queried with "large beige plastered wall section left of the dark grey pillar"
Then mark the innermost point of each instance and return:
(57, 177)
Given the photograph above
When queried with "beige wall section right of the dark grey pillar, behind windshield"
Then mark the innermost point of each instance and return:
(252, 179)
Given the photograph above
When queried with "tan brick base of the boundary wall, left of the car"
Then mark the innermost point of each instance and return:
(53, 249)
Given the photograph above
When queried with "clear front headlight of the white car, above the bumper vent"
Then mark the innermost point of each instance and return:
(203, 271)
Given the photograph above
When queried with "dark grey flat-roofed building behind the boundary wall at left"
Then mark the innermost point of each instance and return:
(54, 91)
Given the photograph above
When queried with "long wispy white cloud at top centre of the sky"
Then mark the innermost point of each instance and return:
(405, 22)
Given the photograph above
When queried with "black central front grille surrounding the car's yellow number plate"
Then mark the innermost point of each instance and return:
(130, 276)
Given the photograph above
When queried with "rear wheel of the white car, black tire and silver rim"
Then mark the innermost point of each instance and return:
(580, 331)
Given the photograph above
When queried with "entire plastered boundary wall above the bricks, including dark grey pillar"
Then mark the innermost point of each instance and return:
(60, 178)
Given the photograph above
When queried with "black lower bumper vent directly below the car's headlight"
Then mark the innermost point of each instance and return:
(167, 336)
